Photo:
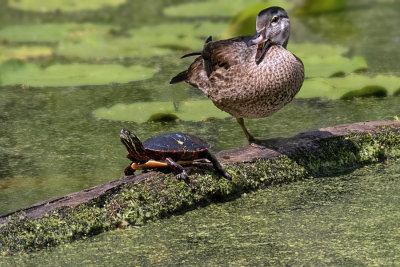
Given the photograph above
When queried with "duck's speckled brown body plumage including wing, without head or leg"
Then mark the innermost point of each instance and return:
(239, 86)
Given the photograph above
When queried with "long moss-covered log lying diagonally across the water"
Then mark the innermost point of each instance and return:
(133, 200)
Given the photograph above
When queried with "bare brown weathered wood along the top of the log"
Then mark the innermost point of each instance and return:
(308, 141)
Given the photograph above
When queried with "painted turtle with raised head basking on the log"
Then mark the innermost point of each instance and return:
(167, 150)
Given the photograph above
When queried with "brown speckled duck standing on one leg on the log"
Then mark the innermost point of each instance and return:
(248, 77)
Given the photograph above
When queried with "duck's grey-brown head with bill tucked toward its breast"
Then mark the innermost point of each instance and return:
(273, 28)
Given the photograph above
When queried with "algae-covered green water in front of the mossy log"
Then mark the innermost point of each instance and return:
(348, 220)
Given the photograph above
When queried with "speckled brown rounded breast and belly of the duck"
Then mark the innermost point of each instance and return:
(251, 90)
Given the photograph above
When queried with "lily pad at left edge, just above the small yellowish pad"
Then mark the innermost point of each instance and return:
(52, 32)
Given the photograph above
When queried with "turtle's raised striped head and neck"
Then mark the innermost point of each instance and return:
(136, 150)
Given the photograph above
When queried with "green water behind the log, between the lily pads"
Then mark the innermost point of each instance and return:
(51, 145)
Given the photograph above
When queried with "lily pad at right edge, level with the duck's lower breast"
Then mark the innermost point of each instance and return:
(336, 88)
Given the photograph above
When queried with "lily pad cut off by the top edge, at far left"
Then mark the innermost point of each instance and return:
(62, 5)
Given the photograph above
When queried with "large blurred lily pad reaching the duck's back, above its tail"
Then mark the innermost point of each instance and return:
(147, 41)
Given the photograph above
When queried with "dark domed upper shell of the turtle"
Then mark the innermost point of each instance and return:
(178, 142)
